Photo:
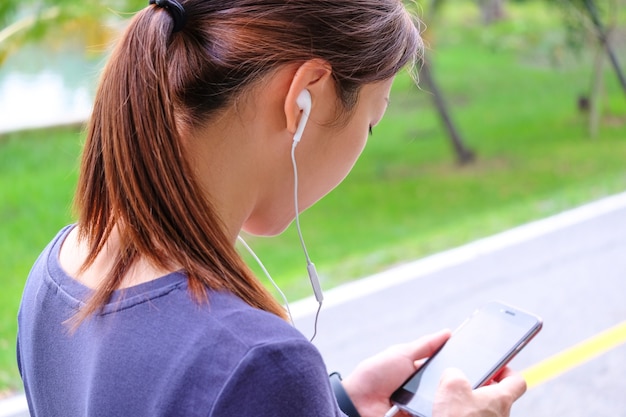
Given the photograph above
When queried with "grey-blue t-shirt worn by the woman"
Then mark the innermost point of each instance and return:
(153, 352)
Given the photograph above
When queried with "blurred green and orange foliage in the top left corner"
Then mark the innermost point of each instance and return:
(52, 22)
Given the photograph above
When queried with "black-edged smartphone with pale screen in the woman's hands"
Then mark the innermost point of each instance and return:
(480, 347)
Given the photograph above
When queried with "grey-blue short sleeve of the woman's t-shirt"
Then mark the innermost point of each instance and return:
(285, 379)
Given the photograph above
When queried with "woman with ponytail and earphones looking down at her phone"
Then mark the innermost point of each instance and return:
(144, 307)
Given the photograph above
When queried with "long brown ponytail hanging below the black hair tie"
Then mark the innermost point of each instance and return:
(135, 178)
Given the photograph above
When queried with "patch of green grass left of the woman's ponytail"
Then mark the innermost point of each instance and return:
(37, 177)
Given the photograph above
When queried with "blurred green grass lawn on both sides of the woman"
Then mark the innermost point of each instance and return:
(513, 93)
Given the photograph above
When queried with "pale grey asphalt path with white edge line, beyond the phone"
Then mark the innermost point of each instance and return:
(569, 269)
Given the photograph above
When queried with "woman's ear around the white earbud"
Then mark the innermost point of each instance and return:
(313, 75)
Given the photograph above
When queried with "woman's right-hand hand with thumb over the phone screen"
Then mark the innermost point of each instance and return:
(455, 398)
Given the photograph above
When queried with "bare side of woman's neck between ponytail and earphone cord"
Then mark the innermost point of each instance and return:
(243, 164)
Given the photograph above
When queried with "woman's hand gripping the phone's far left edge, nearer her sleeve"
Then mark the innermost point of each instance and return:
(375, 379)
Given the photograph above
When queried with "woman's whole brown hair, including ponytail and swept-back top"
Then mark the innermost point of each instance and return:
(158, 83)
